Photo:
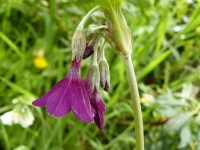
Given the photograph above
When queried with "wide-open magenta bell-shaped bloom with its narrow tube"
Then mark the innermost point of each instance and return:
(67, 95)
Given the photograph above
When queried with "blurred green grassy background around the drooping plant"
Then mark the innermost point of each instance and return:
(35, 53)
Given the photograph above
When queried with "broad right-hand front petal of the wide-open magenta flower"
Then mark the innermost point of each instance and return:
(80, 104)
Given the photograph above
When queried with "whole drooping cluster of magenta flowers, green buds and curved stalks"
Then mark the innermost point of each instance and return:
(82, 97)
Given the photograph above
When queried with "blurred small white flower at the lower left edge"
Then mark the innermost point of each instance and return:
(19, 115)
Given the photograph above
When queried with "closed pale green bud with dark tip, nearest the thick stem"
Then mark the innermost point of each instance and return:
(104, 75)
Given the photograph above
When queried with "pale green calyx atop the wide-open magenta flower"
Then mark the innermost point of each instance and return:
(78, 43)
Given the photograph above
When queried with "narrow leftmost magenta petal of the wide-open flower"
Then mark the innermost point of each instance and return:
(43, 100)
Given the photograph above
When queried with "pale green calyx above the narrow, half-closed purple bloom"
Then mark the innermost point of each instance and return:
(94, 77)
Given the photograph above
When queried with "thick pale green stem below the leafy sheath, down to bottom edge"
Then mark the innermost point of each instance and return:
(135, 102)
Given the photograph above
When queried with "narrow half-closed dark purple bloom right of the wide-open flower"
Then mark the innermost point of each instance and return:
(99, 106)
